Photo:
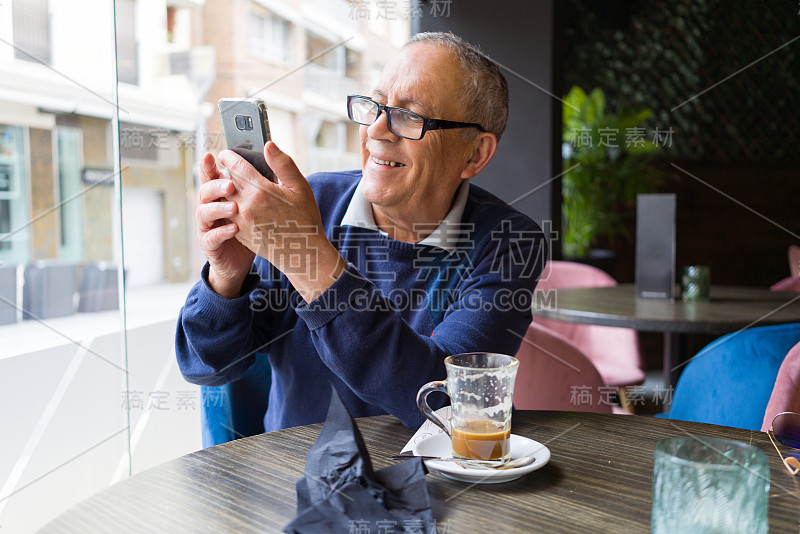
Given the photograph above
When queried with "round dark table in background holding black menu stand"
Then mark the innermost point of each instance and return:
(729, 309)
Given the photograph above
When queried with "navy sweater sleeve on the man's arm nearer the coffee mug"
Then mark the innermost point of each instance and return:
(362, 336)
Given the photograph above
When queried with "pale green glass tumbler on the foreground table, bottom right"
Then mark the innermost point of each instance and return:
(709, 485)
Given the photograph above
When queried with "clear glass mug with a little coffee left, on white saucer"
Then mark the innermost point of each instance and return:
(481, 387)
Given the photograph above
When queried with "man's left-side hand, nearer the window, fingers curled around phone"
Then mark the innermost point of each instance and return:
(229, 260)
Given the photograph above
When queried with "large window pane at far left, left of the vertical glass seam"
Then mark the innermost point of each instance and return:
(62, 356)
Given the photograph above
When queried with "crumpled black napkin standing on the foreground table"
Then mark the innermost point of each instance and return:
(341, 492)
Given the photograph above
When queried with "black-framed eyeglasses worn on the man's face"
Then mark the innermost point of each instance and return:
(401, 122)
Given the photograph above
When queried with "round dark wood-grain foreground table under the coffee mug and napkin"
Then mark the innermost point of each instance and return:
(598, 480)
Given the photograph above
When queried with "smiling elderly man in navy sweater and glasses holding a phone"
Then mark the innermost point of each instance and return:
(367, 279)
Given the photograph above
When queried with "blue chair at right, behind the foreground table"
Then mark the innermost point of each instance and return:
(730, 381)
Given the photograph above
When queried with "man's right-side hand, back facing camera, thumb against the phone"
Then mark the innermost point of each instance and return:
(280, 221)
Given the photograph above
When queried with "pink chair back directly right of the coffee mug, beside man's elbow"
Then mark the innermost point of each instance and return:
(555, 375)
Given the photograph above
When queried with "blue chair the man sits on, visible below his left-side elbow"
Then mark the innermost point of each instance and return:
(236, 410)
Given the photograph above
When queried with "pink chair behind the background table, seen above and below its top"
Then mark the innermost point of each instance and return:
(614, 351)
